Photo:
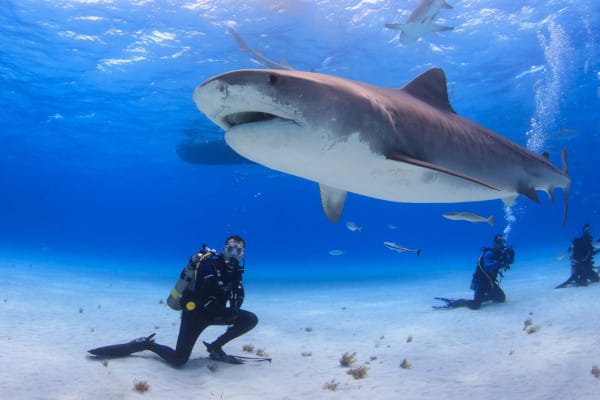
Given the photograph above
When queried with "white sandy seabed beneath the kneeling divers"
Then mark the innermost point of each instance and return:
(48, 320)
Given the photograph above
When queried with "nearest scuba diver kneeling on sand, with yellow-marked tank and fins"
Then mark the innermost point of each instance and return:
(207, 284)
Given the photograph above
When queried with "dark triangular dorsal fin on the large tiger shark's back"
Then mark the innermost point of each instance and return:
(430, 87)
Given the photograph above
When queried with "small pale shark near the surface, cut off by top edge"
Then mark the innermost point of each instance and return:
(420, 21)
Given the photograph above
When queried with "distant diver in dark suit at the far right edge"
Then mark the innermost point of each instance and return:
(582, 260)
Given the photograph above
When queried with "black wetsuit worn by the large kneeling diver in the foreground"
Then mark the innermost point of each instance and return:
(214, 299)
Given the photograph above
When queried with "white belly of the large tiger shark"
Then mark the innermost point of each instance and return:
(350, 165)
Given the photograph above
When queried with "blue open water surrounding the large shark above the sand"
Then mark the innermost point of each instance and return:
(96, 96)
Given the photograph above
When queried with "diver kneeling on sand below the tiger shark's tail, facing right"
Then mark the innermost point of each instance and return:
(485, 283)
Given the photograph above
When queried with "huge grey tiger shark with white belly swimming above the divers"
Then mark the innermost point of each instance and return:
(401, 145)
